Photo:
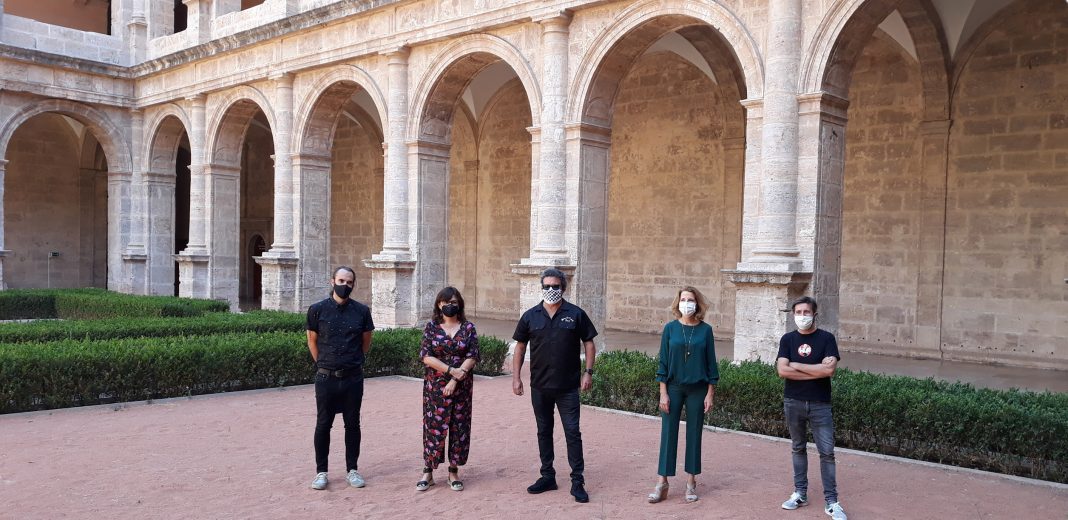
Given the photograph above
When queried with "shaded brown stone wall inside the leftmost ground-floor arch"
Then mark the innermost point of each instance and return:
(52, 204)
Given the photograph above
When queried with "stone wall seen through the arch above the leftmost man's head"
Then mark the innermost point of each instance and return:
(356, 197)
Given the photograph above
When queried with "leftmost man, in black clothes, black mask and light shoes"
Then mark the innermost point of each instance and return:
(339, 337)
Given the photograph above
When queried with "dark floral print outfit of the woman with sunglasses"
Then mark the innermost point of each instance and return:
(447, 415)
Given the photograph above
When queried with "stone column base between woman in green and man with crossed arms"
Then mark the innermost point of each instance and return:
(761, 309)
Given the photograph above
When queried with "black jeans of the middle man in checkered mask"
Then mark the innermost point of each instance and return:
(568, 403)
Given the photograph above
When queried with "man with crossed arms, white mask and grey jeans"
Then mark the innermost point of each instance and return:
(807, 360)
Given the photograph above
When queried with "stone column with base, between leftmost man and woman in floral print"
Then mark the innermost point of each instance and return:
(395, 301)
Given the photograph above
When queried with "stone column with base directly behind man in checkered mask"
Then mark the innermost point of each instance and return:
(549, 203)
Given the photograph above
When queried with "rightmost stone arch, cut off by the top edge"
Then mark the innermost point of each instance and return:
(828, 65)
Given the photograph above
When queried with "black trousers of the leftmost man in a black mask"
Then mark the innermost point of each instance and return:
(333, 396)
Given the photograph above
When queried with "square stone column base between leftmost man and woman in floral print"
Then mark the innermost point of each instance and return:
(394, 292)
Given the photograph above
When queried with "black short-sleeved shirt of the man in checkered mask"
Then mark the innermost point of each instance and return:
(556, 345)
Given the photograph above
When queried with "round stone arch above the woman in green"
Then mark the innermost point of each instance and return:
(645, 23)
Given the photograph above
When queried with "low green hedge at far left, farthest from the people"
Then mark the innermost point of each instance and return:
(91, 304)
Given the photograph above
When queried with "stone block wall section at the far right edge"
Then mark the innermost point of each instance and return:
(1008, 219)
